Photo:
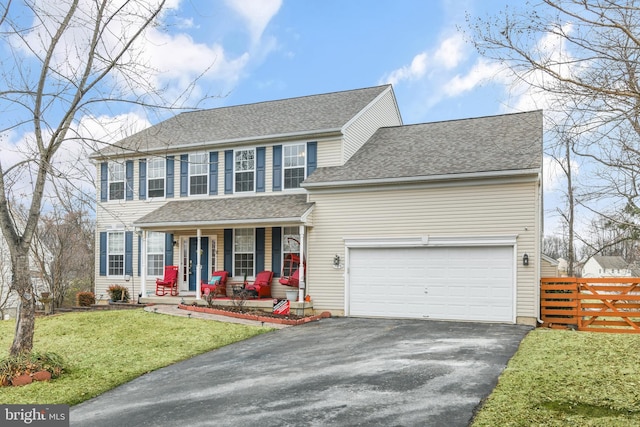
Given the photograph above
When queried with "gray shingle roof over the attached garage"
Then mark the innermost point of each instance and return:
(497, 143)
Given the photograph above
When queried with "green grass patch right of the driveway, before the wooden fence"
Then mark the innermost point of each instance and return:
(561, 378)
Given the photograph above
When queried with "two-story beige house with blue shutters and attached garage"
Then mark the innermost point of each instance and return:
(431, 220)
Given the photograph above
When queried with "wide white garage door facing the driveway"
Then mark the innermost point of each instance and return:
(456, 283)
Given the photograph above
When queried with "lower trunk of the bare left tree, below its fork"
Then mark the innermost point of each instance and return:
(25, 321)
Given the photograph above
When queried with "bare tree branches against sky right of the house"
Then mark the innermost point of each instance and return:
(584, 55)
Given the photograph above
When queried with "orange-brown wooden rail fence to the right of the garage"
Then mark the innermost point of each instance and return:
(609, 304)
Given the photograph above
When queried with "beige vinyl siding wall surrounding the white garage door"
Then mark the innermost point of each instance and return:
(457, 211)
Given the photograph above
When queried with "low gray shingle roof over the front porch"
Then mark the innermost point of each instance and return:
(231, 210)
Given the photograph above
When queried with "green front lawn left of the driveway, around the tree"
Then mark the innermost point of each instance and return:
(107, 348)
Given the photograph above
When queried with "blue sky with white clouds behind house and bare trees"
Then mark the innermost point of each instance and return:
(262, 50)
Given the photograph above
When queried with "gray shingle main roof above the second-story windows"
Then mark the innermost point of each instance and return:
(306, 114)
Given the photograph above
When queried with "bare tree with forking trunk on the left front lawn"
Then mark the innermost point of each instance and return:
(71, 59)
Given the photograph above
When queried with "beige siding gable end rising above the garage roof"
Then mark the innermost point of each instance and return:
(384, 112)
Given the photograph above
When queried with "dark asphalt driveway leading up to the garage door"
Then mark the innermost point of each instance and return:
(335, 372)
